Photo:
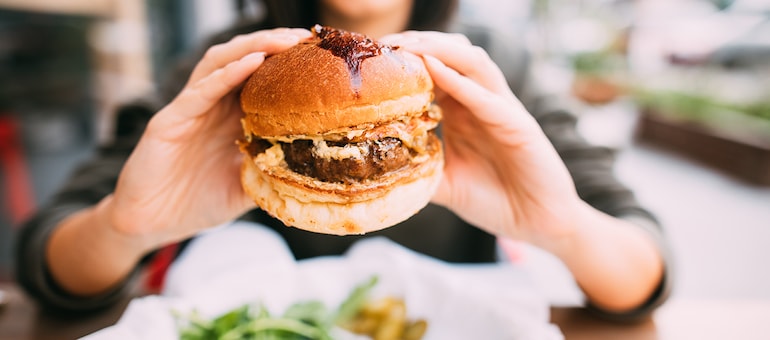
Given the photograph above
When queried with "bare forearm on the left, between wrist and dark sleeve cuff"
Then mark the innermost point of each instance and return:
(86, 256)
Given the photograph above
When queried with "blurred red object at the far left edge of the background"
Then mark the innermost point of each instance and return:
(18, 189)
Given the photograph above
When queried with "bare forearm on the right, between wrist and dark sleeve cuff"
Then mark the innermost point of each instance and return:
(617, 264)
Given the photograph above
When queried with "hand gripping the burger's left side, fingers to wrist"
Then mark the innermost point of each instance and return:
(184, 174)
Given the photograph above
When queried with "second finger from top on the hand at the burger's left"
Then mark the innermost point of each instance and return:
(201, 96)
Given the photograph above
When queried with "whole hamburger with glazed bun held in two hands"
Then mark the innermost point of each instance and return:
(339, 134)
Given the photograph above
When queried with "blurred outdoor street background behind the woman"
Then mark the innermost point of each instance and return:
(679, 88)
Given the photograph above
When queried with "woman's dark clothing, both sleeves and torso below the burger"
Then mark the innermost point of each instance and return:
(434, 231)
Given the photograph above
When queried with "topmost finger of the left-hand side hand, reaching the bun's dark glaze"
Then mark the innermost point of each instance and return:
(269, 41)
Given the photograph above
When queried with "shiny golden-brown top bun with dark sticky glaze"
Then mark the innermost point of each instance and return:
(335, 81)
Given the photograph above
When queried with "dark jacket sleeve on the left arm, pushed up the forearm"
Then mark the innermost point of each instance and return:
(87, 185)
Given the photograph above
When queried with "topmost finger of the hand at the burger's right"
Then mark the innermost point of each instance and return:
(459, 54)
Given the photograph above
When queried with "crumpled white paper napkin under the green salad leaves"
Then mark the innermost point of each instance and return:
(246, 263)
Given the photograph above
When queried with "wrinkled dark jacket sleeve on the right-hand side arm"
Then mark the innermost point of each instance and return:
(591, 166)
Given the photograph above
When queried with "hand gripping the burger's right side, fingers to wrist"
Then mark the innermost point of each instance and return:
(502, 174)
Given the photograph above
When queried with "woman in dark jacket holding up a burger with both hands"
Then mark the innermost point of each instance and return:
(515, 168)
